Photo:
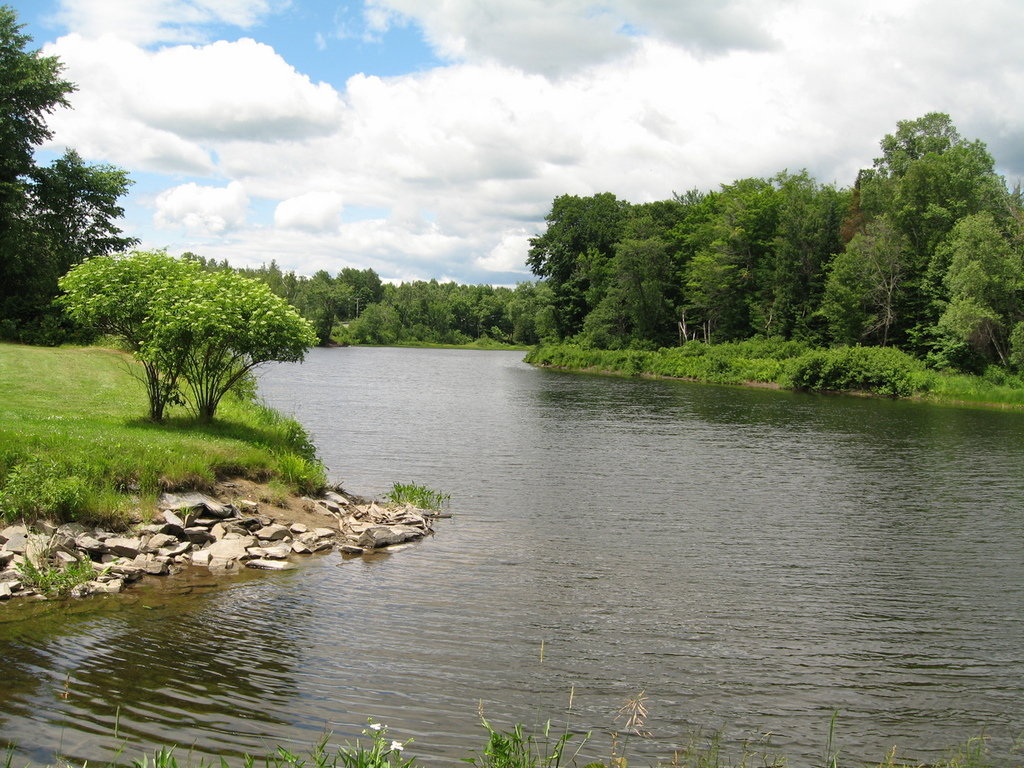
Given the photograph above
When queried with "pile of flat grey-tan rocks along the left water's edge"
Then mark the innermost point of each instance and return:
(194, 530)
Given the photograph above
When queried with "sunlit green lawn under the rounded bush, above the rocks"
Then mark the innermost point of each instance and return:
(75, 445)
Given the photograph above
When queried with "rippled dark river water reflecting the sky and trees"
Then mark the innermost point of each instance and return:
(752, 561)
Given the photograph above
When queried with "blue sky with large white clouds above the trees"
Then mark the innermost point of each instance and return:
(428, 139)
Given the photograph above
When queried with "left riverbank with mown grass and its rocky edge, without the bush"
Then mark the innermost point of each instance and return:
(94, 498)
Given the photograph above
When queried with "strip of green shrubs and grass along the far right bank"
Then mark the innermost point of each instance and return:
(791, 365)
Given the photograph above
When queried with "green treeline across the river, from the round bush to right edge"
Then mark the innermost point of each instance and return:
(924, 253)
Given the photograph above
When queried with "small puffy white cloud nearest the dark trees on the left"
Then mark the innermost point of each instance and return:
(202, 210)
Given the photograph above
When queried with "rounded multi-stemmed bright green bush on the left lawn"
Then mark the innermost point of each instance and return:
(183, 323)
